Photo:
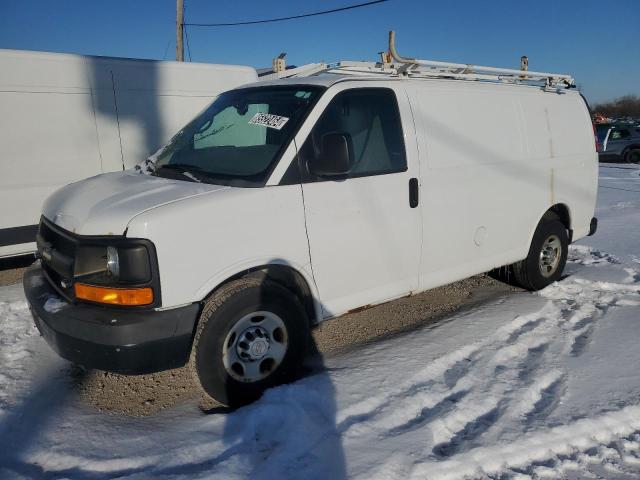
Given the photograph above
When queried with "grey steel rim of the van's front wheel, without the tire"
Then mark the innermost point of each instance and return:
(255, 346)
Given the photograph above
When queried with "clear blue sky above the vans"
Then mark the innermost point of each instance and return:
(596, 41)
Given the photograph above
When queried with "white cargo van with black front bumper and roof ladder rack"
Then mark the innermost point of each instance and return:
(288, 202)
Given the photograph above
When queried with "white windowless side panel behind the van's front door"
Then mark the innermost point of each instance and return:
(490, 171)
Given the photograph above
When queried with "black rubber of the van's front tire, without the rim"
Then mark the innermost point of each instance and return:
(221, 313)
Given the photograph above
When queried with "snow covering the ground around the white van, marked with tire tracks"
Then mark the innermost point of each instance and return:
(533, 385)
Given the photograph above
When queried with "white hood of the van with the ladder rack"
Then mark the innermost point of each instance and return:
(104, 204)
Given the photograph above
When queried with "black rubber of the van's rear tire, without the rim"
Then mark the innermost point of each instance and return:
(528, 273)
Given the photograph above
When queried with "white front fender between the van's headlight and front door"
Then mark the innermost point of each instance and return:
(203, 241)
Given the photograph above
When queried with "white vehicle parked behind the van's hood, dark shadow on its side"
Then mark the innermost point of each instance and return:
(69, 117)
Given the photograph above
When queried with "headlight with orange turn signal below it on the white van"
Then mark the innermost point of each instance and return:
(118, 274)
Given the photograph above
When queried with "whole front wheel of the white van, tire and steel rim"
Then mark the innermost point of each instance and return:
(252, 335)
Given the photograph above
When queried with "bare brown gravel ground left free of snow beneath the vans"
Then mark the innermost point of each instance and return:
(146, 394)
